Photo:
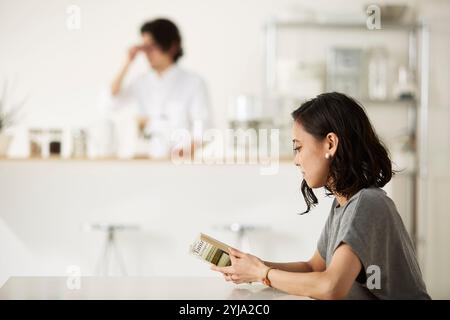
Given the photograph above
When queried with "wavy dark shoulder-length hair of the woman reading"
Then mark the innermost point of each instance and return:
(360, 161)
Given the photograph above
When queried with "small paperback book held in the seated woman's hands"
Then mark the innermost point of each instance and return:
(211, 250)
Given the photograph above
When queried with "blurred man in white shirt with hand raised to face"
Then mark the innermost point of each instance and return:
(168, 97)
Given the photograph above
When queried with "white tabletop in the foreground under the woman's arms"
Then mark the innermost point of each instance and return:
(153, 288)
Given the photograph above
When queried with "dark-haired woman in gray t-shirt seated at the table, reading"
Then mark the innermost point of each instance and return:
(364, 250)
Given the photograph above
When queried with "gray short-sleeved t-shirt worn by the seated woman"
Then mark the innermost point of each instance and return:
(370, 224)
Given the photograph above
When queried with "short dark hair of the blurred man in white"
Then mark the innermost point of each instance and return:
(166, 35)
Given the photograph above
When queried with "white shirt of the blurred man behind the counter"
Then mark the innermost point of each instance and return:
(176, 99)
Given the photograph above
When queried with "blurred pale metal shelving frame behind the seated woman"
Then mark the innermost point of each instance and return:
(418, 55)
